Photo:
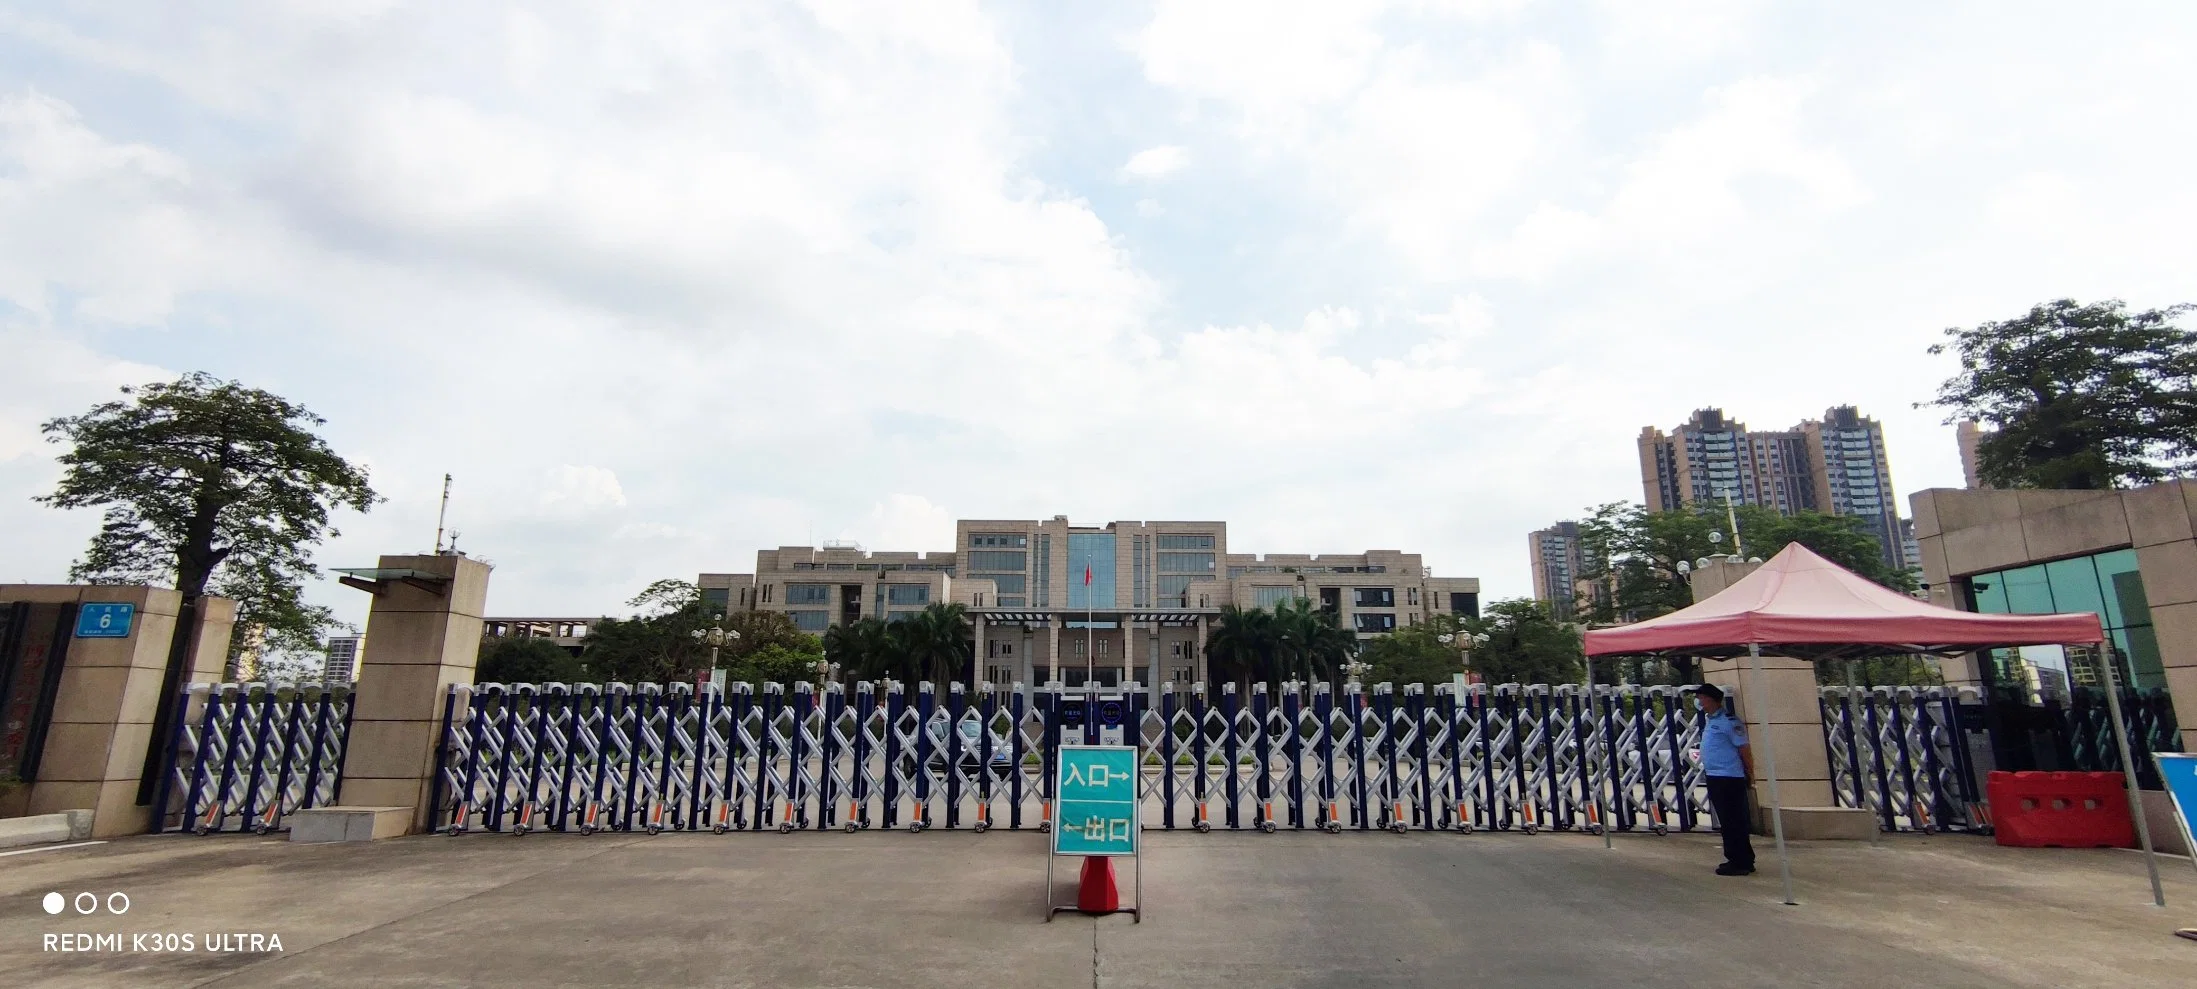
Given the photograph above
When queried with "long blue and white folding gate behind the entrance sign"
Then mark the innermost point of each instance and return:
(522, 757)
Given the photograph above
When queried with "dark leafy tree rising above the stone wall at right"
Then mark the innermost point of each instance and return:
(2079, 395)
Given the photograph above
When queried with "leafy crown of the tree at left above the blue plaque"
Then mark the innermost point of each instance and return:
(212, 487)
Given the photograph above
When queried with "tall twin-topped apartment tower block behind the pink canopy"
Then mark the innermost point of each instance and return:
(1836, 465)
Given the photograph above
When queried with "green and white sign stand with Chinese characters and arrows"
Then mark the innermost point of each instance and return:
(1095, 816)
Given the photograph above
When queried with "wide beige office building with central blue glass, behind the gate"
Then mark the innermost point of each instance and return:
(1058, 601)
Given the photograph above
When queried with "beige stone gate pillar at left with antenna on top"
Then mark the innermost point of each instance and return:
(423, 636)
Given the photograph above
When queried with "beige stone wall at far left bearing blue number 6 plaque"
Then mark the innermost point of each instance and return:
(109, 700)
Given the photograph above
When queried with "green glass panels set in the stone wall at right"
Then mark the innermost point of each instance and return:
(2106, 586)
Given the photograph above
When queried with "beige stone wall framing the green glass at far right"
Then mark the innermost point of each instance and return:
(1983, 531)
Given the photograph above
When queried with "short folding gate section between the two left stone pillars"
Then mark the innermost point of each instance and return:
(243, 757)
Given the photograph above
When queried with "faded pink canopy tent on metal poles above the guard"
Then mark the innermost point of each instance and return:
(1807, 608)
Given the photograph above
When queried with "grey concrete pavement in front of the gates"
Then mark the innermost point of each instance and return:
(1227, 911)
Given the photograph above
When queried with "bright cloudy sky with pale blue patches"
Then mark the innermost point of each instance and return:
(673, 282)
